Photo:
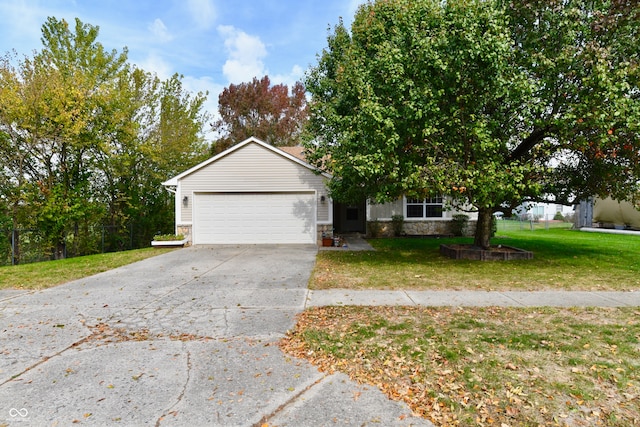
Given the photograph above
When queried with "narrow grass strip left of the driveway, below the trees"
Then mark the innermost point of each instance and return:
(46, 274)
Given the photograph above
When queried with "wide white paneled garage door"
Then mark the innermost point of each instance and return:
(254, 218)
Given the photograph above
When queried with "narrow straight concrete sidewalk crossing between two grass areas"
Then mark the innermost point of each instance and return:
(475, 298)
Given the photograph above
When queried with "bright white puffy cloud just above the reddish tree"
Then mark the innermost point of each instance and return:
(245, 55)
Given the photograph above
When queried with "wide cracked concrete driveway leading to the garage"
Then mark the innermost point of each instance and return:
(187, 338)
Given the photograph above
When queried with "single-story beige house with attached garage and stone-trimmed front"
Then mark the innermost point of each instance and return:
(257, 193)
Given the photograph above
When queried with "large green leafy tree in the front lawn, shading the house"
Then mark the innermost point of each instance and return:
(490, 103)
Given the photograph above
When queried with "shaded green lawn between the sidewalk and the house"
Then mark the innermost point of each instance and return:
(563, 259)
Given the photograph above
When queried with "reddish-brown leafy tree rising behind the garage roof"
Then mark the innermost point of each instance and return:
(260, 109)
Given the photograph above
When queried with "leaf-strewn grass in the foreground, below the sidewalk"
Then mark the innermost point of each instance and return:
(485, 366)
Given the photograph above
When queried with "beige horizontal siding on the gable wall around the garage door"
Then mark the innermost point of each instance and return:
(252, 169)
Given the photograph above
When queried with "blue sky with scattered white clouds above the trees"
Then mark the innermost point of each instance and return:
(212, 43)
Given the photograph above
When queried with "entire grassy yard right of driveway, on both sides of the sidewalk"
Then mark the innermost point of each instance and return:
(488, 366)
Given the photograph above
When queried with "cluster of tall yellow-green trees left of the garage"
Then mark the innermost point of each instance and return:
(87, 139)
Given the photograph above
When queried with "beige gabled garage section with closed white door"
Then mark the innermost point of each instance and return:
(252, 193)
